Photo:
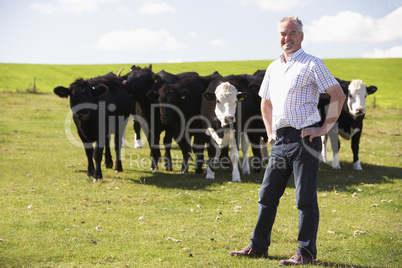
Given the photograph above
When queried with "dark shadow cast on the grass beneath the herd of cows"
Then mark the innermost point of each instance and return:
(328, 178)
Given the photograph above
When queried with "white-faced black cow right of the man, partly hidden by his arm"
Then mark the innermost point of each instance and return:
(350, 122)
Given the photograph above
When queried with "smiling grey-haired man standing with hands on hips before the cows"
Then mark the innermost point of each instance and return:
(290, 92)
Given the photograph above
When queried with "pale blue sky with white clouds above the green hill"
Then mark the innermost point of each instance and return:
(147, 31)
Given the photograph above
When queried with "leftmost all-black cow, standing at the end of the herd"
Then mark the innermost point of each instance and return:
(100, 107)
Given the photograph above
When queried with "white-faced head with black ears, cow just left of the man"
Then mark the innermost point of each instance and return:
(226, 97)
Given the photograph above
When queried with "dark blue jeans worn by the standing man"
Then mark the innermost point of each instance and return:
(290, 153)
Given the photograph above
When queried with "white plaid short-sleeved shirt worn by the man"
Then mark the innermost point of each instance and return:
(294, 88)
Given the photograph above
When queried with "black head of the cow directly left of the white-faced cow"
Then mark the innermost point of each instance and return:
(170, 97)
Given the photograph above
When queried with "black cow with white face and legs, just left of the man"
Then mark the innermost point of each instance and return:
(227, 121)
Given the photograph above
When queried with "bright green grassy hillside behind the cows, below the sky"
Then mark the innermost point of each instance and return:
(384, 73)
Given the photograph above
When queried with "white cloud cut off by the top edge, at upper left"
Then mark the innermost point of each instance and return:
(70, 6)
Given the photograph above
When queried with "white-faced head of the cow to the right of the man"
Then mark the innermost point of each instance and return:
(357, 94)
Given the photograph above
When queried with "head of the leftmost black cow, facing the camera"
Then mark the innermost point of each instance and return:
(82, 97)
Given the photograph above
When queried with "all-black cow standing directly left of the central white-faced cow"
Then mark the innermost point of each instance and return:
(181, 105)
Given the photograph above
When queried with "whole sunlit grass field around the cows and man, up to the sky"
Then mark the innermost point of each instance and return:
(52, 215)
